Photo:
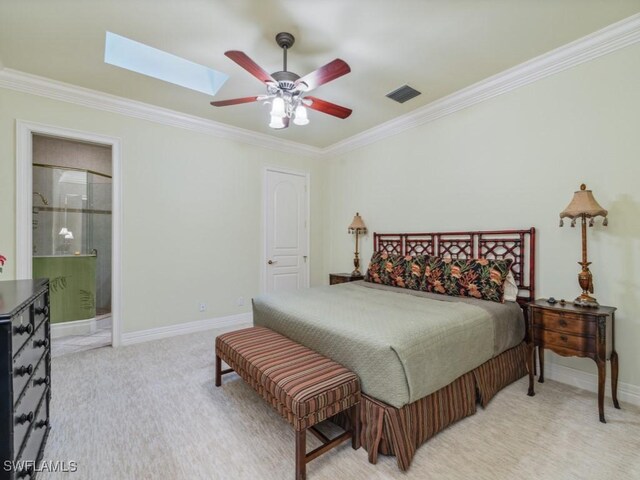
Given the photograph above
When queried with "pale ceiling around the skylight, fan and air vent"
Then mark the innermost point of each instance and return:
(436, 46)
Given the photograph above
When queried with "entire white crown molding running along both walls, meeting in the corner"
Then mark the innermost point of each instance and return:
(607, 40)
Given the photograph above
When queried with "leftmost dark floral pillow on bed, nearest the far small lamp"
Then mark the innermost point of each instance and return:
(396, 270)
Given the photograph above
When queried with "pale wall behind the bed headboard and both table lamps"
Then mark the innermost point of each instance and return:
(514, 162)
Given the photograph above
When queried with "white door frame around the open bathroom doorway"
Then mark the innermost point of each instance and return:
(24, 203)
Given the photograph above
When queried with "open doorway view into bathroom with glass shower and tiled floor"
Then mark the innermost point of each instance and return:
(72, 239)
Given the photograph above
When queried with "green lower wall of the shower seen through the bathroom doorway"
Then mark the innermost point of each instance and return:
(72, 285)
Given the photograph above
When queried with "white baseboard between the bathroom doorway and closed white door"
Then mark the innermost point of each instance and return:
(239, 320)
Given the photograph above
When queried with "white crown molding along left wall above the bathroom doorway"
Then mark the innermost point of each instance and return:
(45, 87)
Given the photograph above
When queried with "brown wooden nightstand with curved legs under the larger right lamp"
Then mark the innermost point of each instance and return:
(573, 331)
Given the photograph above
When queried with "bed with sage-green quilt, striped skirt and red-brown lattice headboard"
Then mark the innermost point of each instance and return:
(424, 360)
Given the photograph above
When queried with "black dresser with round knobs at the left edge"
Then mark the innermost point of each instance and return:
(25, 370)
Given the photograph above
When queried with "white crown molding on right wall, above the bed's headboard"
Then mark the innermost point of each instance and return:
(607, 40)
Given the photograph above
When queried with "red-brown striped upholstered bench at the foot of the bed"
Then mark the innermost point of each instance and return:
(305, 387)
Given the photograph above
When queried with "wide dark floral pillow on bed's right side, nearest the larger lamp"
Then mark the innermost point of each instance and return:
(479, 278)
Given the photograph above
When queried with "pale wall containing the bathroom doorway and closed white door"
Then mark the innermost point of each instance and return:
(192, 211)
